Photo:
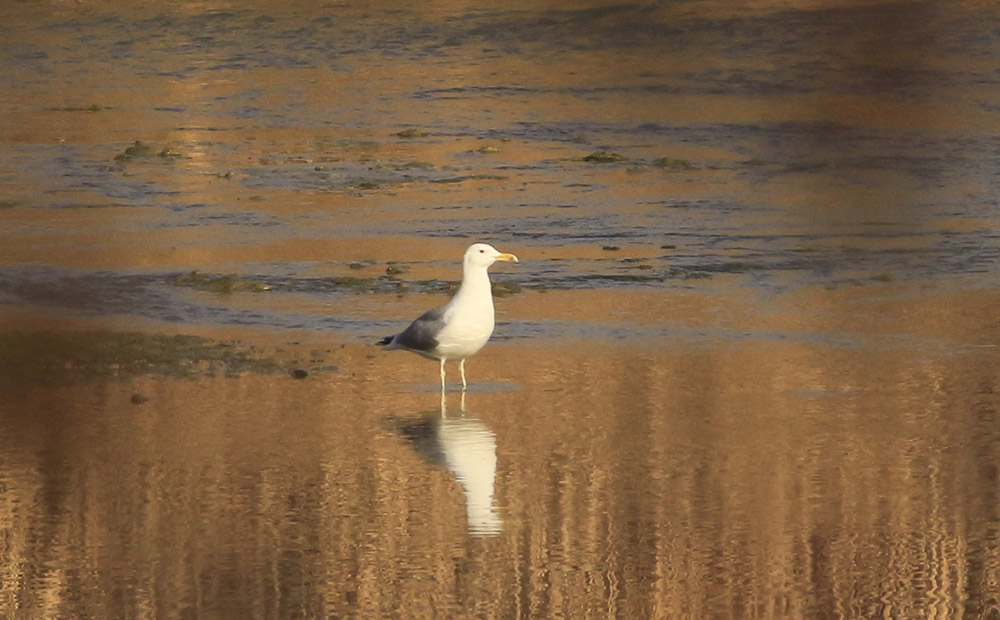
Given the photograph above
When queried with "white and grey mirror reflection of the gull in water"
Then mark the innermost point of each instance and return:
(468, 449)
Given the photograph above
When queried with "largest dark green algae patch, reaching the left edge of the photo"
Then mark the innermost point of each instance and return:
(44, 357)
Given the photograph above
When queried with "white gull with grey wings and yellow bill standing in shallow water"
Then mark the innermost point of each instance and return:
(462, 326)
